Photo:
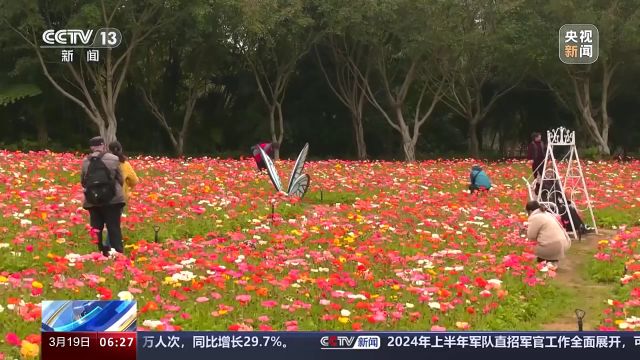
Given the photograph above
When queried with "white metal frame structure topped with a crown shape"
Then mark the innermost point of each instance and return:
(573, 183)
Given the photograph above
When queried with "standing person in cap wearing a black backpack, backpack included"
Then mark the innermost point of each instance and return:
(102, 182)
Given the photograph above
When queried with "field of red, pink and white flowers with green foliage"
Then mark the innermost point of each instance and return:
(373, 246)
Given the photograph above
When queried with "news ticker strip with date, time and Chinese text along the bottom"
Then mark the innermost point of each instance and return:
(337, 345)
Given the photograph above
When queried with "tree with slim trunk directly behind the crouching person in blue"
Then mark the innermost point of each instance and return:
(483, 57)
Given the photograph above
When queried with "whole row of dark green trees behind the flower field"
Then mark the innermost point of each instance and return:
(399, 79)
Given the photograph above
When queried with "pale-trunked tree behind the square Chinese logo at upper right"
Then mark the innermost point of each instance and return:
(587, 90)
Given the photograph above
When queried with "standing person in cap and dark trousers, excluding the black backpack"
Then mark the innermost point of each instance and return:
(108, 215)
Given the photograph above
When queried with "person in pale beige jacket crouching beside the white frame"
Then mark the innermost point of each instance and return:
(544, 228)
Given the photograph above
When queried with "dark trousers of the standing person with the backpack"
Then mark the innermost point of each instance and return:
(108, 216)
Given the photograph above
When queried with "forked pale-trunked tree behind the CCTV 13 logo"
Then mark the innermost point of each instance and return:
(94, 87)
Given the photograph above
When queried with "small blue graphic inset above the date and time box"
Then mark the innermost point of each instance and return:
(88, 315)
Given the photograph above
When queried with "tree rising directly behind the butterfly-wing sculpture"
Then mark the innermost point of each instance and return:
(272, 36)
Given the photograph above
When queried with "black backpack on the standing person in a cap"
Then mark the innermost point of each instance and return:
(100, 186)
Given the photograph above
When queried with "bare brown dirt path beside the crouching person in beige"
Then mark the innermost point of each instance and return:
(589, 295)
